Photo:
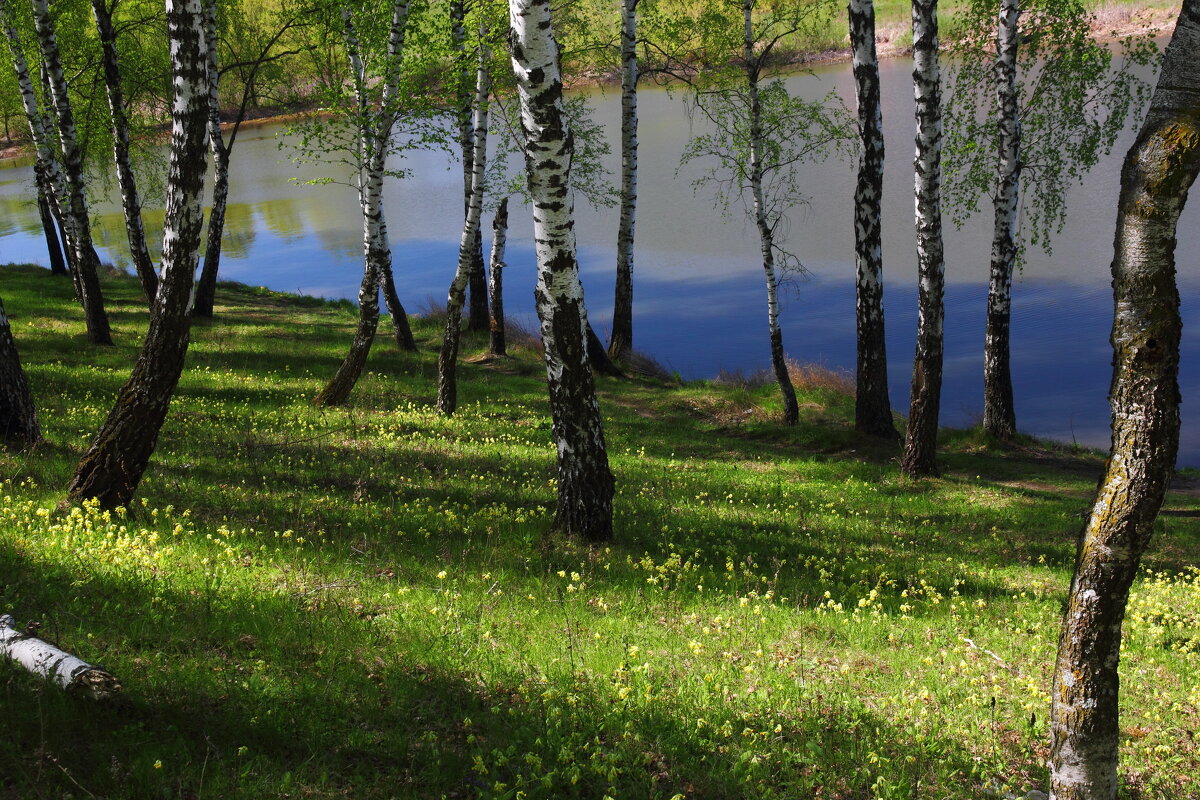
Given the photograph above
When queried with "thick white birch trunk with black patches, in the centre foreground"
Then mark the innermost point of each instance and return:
(585, 483)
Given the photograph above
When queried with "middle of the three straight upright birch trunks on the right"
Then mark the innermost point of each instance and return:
(921, 447)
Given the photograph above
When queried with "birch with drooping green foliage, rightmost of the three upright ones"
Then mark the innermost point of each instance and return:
(1035, 103)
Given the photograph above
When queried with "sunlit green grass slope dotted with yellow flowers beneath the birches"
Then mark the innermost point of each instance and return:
(364, 603)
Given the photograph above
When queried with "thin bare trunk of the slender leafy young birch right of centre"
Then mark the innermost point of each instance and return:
(766, 236)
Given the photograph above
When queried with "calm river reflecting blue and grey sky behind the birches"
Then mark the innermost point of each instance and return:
(700, 303)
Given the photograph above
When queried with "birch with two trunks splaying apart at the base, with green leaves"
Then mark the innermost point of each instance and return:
(362, 136)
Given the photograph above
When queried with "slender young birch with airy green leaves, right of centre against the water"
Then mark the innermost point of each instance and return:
(760, 136)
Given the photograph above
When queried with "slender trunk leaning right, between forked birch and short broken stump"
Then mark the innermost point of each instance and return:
(448, 359)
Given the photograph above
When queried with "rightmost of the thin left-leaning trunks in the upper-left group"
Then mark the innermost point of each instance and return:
(130, 202)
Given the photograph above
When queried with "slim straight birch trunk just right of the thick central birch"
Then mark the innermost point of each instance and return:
(621, 341)
